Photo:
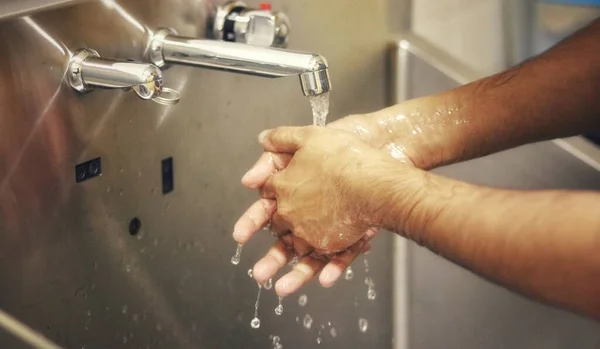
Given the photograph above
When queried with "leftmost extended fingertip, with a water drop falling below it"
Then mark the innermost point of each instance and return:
(256, 217)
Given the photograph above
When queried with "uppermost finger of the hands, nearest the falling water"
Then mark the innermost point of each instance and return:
(284, 139)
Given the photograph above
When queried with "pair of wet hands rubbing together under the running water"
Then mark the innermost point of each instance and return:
(316, 197)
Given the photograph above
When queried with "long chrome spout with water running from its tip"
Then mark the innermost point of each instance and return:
(166, 47)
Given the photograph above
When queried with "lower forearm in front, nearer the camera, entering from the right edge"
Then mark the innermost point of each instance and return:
(544, 244)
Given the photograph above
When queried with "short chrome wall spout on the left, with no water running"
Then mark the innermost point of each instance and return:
(87, 70)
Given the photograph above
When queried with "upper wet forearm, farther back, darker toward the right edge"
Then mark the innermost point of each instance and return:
(553, 95)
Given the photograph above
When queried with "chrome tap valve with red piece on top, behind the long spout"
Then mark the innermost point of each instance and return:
(236, 22)
